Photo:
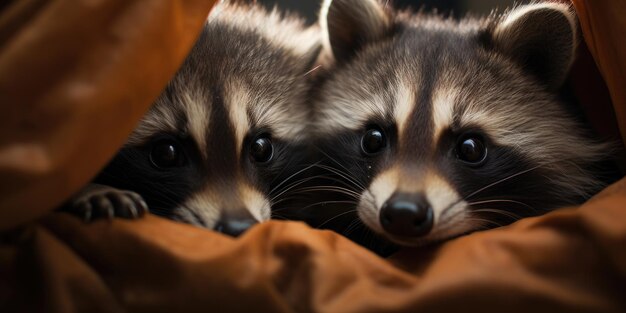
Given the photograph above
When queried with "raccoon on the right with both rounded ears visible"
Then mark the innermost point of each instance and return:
(443, 127)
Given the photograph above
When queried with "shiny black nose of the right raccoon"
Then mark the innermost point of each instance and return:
(407, 215)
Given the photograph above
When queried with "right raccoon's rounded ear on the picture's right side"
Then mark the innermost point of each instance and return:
(540, 37)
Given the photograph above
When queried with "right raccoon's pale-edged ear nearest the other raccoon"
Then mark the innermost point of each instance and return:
(350, 24)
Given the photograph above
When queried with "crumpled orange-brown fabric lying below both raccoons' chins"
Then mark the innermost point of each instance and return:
(572, 260)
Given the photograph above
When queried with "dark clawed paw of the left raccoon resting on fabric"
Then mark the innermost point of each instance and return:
(99, 201)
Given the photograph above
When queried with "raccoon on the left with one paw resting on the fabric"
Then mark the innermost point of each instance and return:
(225, 130)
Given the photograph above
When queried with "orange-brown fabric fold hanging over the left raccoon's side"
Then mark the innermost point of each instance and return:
(74, 79)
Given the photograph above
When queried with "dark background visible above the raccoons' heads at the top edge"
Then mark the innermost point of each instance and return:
(310, 8)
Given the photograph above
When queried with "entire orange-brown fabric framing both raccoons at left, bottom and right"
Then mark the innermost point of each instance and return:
(569, 260)
